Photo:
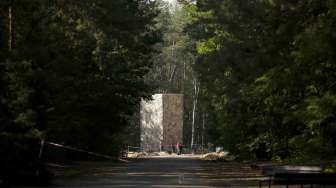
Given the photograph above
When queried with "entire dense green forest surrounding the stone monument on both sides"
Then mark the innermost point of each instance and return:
(258, 76)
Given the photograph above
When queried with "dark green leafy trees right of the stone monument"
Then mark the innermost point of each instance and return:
(268, 68)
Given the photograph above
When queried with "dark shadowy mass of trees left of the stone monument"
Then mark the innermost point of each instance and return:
(75, 72)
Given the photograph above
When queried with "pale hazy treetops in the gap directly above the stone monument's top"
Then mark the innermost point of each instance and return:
(172, 67)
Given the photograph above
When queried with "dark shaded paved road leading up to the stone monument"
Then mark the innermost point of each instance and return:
(159, 172)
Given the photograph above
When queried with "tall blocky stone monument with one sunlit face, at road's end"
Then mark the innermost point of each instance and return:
(161, 122)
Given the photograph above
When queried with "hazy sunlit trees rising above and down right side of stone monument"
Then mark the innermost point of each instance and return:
(174, 66)
